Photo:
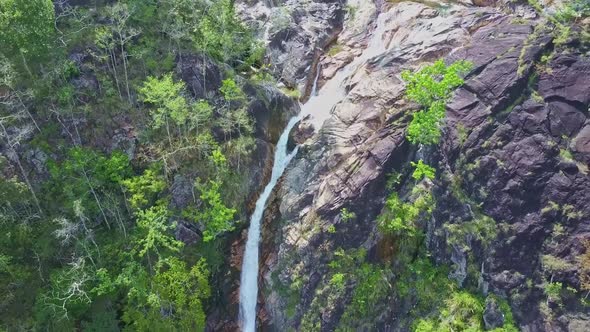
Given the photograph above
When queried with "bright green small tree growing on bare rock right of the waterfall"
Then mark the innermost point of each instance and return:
(431, 87)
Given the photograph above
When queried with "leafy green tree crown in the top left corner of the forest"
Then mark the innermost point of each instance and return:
(26, 28)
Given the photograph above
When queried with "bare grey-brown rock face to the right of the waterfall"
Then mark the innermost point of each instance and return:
(516, 140)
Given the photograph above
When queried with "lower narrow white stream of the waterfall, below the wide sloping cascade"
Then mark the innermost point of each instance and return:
(249, 278)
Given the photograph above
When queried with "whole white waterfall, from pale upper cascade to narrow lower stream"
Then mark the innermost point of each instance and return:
(318, 107)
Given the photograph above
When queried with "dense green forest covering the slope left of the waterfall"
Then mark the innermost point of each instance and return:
(63, 265)
